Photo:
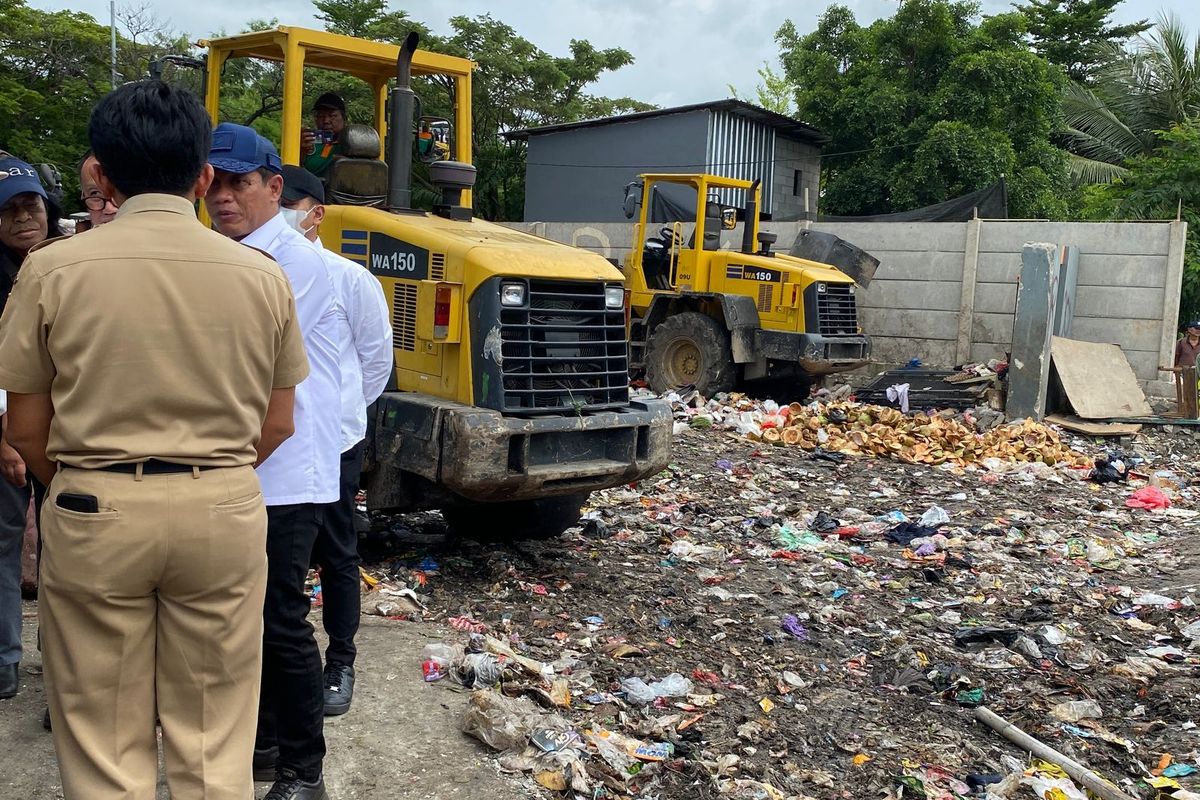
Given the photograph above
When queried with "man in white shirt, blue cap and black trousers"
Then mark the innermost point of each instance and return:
(301, 478)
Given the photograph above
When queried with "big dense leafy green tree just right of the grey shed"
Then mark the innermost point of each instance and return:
(928, 105)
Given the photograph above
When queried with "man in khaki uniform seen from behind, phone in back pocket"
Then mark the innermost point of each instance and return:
(151, 365)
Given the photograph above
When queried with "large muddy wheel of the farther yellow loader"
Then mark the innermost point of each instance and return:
(691, 350)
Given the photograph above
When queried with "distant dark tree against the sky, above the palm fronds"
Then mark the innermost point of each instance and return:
(1076, 34)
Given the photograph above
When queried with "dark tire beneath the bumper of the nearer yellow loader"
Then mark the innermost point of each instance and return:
(513, 522)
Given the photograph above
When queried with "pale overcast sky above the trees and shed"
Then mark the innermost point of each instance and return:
(685, 51)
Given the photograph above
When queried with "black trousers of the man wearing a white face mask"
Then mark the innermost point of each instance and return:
(338, 556)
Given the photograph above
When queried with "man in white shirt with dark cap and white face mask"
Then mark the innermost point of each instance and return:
(367, 362)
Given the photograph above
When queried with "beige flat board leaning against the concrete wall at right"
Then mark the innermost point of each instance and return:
(1097, 380)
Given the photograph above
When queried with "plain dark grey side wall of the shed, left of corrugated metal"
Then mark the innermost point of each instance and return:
(561, 185)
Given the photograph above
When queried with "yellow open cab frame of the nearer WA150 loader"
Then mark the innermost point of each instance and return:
(361, 182)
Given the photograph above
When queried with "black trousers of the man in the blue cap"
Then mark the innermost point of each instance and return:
(292, 707)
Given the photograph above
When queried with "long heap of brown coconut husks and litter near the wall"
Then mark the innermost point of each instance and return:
(881, 432)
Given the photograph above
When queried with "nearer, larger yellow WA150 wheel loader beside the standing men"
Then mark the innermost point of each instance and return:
(511, 401)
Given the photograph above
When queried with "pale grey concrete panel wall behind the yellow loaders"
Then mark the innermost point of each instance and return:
(946, 292)
